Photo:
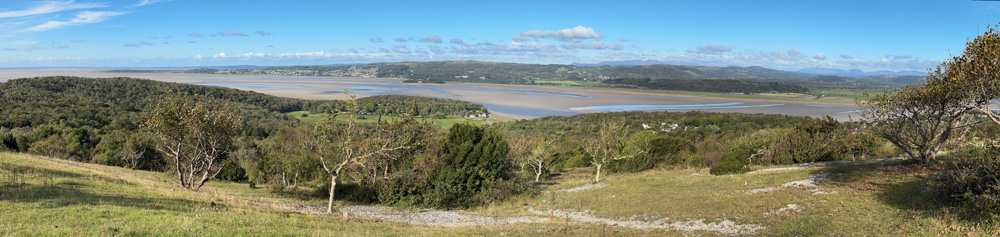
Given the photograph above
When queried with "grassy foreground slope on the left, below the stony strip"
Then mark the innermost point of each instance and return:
(61, 197)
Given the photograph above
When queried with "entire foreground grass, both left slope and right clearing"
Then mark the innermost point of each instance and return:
(57, 197)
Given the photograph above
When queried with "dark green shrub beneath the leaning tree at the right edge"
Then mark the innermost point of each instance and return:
(972, 177)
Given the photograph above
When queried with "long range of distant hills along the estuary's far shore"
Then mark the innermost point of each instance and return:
(518, 73)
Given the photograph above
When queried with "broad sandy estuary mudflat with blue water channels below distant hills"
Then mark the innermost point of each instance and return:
(513, 100)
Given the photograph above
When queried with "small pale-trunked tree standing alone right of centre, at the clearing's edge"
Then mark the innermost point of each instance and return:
(610, 145)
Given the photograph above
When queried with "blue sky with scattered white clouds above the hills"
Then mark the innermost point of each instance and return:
(786, 35)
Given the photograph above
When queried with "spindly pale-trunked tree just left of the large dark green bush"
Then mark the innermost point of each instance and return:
(341, 146)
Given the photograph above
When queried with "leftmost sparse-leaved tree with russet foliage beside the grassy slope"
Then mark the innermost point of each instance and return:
(194, 134)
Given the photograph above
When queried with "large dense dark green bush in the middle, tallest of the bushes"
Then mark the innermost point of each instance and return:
(468, 168)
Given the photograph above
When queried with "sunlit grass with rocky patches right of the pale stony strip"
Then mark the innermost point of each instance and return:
(870, 199)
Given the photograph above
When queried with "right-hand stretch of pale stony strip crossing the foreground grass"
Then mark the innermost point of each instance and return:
(724, 227)
